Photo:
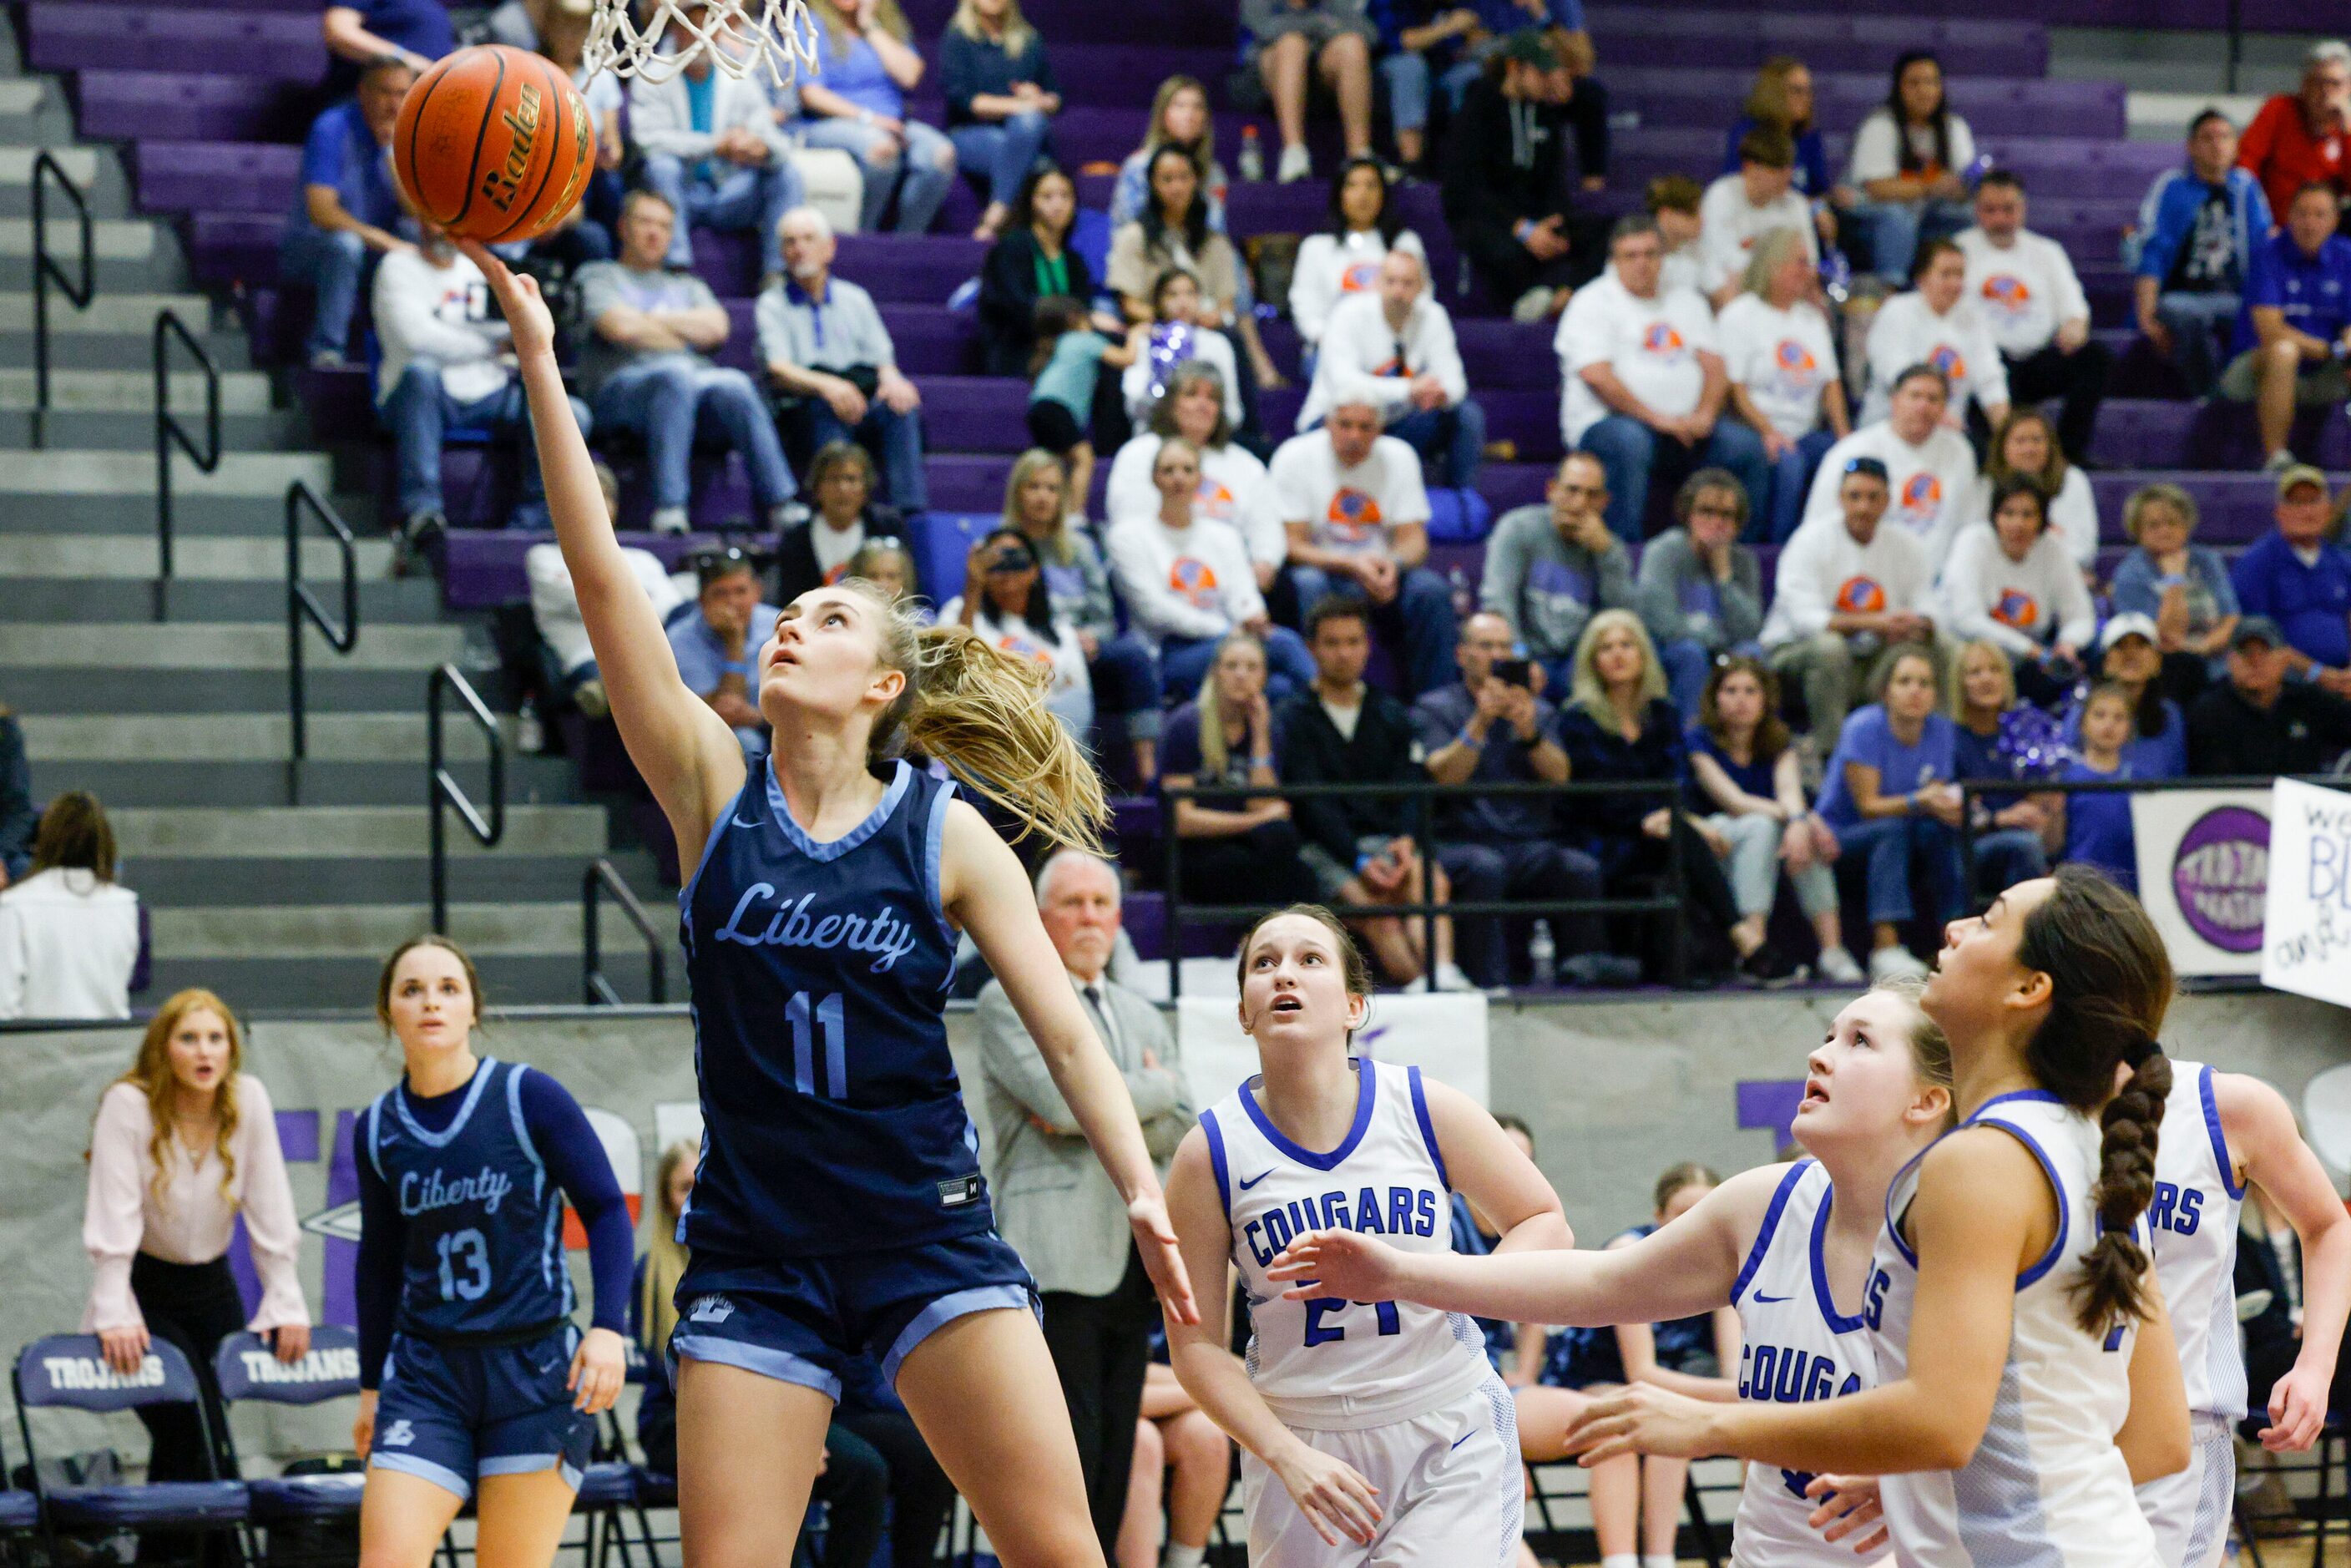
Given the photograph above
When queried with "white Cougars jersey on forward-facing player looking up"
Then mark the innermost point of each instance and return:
(1332, 1365)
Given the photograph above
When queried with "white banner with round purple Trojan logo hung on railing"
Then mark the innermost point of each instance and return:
(2204, 876)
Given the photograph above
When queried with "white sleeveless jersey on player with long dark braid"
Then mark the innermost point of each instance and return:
(2047, 1485)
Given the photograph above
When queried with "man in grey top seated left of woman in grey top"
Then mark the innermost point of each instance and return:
(1553, 568)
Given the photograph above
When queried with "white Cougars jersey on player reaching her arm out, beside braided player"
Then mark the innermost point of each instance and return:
(1795, 1348)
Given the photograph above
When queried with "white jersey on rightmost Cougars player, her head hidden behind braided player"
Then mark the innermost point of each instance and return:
(2195, 1224)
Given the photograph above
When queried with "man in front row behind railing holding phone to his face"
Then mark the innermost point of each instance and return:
(1494, 728)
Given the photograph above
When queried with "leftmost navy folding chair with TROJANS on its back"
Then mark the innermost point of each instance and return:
(69, 1372)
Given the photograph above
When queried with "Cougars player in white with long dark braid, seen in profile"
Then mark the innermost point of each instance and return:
(2025, 1367)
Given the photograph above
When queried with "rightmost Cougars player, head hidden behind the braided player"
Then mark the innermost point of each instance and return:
(2223, 1134)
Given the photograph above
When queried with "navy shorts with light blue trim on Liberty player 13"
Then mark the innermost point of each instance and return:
(453, 1414)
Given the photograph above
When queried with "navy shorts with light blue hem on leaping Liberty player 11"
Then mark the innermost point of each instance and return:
(803, 1320)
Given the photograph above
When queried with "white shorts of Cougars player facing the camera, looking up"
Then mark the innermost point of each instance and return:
(1452, 1492)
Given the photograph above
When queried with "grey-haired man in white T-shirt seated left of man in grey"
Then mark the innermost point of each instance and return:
(1360, 528)
